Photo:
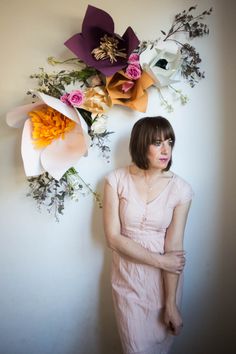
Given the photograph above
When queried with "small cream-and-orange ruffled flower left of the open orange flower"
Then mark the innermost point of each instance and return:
(96, 101)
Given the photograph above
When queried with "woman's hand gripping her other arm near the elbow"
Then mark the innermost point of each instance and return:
(173, 261)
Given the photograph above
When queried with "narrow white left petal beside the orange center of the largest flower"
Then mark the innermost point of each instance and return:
(30, 155)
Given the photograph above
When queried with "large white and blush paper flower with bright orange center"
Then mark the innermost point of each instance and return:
(53, 139)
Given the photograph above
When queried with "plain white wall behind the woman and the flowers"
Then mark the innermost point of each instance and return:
(55, 293)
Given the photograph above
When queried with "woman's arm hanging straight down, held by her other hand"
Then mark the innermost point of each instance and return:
(174, 241)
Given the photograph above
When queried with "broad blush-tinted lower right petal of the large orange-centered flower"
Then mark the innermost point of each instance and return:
(62, 154)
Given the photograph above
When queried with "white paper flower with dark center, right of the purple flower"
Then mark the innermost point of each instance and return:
(161, 65)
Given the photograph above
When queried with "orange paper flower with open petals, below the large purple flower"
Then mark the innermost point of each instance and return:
(126, 92)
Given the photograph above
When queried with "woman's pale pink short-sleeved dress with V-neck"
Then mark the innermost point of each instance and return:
(137, 289)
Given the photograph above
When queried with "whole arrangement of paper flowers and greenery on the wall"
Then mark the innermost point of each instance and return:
(69, 110)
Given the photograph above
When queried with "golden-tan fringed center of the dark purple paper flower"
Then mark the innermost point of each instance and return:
(108, 49)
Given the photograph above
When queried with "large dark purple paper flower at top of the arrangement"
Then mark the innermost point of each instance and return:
(98, 46)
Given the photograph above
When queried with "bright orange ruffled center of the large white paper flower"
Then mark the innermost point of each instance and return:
(48, 125)
